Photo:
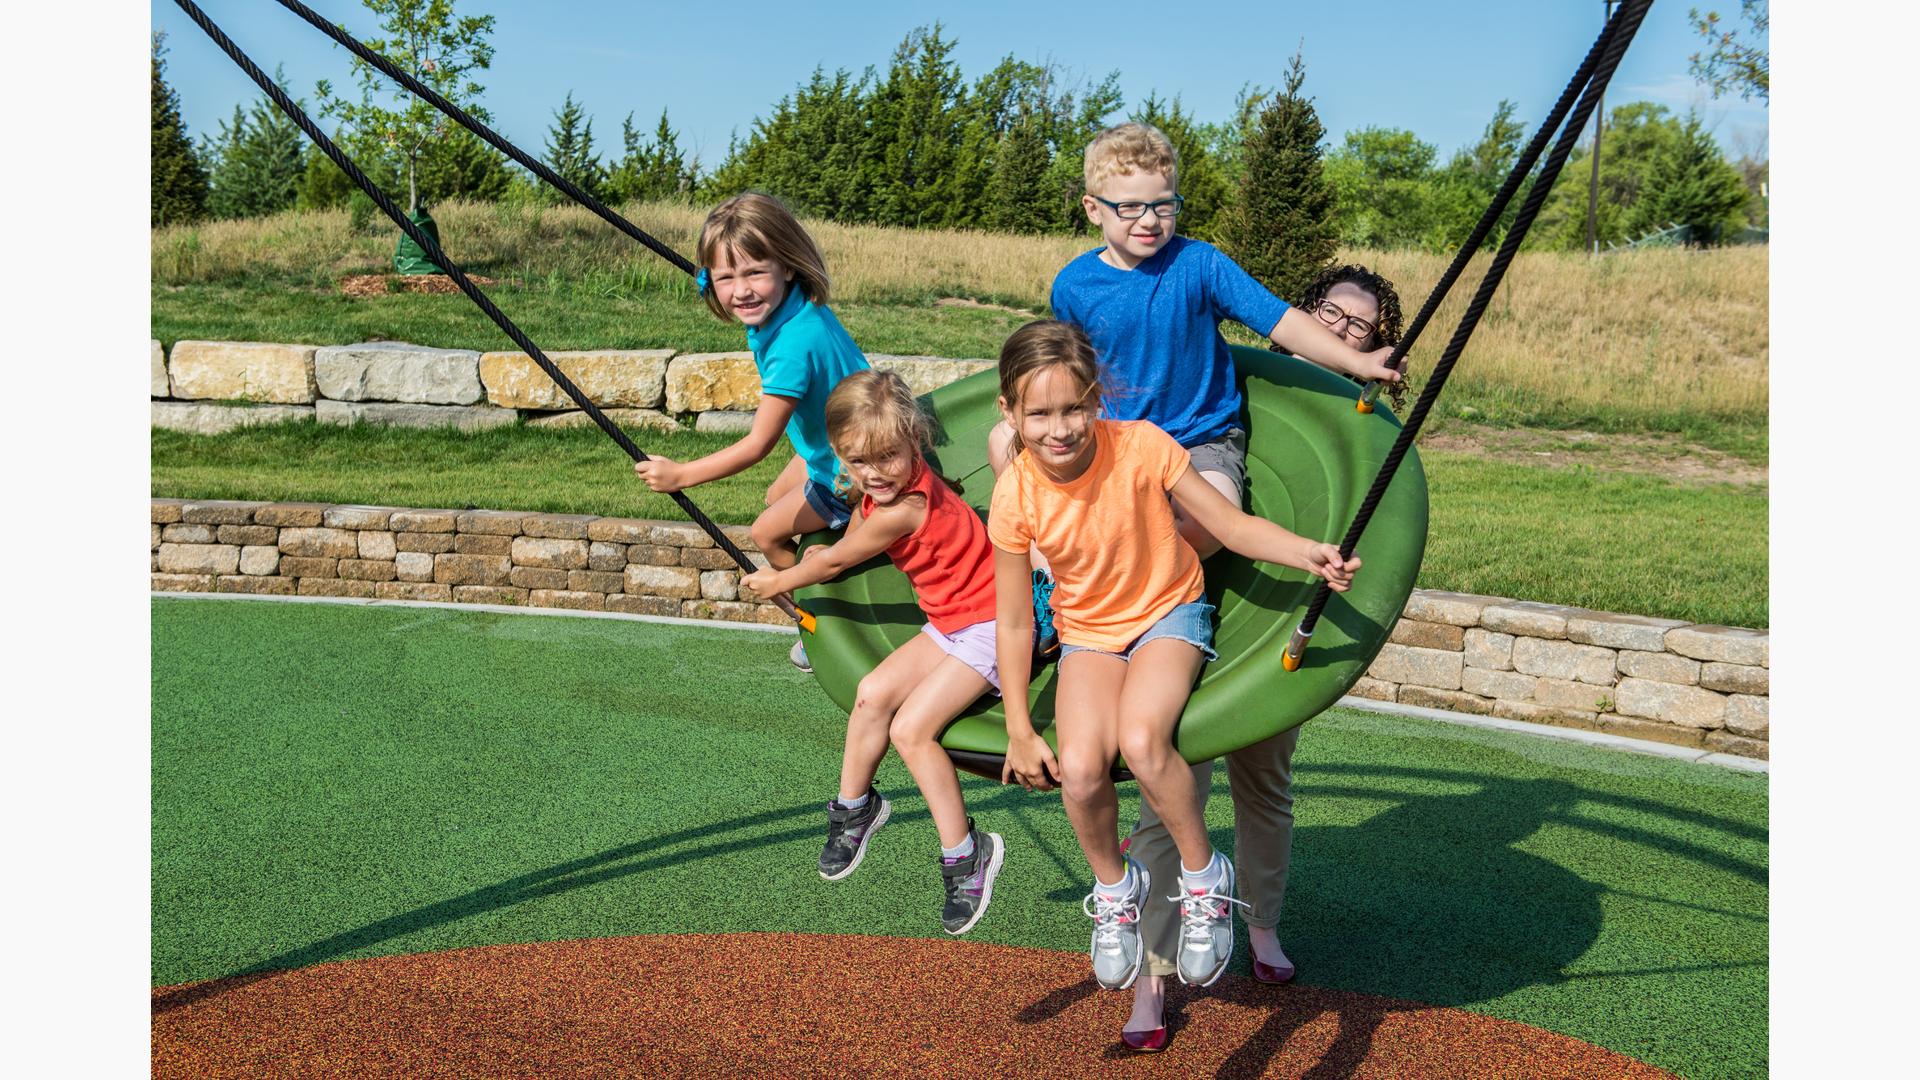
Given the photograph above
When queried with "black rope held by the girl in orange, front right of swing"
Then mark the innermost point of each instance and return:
(1618, 36)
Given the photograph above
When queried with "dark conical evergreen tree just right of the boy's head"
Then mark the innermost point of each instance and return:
(1284, 226)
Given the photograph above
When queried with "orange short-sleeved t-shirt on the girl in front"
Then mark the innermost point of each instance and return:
(1118, 562)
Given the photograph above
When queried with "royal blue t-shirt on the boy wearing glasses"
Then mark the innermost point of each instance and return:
(1157, 331)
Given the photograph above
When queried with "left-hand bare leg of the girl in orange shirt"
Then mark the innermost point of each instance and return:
(1084, 714)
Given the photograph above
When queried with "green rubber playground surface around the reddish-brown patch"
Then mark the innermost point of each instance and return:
(348, 781)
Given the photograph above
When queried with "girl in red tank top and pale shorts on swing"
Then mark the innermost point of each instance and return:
(942, 547)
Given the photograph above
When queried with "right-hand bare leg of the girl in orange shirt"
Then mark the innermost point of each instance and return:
(1159, 681)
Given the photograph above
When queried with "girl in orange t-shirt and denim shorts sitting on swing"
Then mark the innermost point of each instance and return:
(1134, 624)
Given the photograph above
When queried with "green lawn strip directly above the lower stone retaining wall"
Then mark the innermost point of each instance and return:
(1606, 541)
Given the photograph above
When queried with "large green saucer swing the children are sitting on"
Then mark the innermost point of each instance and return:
(1308, 464)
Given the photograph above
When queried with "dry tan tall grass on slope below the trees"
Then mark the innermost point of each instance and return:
(1648, 333)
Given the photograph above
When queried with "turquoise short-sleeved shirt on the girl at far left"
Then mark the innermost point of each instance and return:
(804, 353)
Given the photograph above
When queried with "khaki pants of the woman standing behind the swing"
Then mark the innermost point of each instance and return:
(1260, 781)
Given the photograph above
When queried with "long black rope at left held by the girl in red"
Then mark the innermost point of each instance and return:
(473, 293)
